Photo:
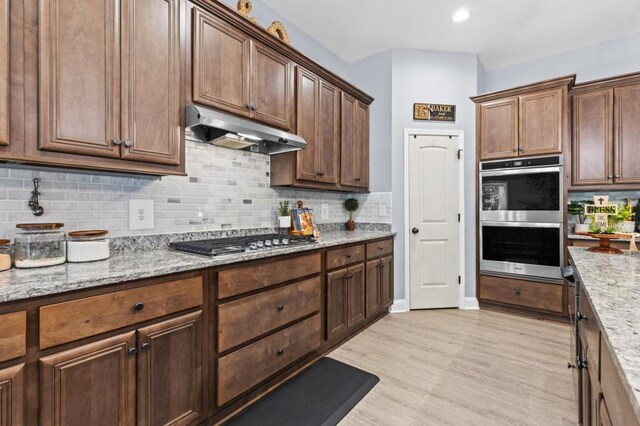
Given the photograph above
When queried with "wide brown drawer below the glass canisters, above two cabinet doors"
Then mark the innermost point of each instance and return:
(77, 319)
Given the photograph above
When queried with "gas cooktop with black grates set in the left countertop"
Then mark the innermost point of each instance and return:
(222, 246)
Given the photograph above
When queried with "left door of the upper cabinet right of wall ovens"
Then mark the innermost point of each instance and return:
(593, 138)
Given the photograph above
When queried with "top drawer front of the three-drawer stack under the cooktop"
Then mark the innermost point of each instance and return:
(247, 278)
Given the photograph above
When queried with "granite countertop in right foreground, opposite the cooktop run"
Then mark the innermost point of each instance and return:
(612, 284)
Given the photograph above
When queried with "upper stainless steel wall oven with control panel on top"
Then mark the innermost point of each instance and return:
(522, 190)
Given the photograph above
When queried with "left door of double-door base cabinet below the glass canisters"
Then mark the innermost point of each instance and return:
(90, 385)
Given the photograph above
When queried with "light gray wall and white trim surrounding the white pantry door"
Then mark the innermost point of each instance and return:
(438, 77)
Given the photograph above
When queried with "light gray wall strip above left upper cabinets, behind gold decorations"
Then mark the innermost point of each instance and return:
(300, 40)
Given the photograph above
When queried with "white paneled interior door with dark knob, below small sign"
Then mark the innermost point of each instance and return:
(434, 233)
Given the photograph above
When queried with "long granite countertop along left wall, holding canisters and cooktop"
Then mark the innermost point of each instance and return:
(20, 284)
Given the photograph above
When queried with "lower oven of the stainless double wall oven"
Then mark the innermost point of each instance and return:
(522, 248)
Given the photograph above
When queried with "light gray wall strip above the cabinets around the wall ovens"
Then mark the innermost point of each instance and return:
(609, 58)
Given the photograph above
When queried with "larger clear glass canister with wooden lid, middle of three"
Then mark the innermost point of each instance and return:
(39, 244)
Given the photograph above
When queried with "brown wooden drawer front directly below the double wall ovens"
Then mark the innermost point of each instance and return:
(530, 294)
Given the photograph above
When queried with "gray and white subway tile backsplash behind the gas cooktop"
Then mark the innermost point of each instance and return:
(224, 189)
